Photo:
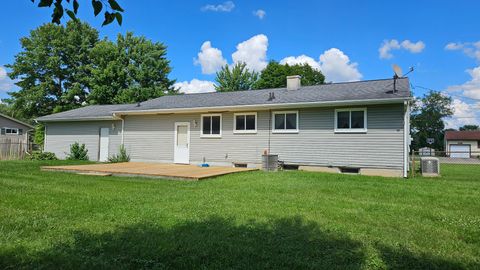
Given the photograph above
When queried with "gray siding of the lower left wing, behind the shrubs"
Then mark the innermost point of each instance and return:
(60, 135)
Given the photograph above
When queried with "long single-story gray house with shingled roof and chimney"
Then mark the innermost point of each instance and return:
(352, 126)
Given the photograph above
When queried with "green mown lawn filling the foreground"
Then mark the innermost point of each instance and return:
(248, 220)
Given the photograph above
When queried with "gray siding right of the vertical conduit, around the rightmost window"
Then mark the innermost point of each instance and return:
(317, 144)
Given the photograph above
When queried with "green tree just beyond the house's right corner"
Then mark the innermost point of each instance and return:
(427, 119)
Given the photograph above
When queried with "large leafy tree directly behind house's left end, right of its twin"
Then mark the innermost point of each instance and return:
(132, 69)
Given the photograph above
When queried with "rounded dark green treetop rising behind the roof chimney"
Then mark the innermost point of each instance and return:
(274, 75)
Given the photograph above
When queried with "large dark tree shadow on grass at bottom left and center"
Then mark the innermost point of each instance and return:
(214, 243)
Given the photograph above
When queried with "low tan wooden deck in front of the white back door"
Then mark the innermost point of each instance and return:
(160, 170)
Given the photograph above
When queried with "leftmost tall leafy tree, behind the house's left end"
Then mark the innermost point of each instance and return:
(53, 69)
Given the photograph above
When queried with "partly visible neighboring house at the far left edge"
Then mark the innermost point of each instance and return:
(11, 128)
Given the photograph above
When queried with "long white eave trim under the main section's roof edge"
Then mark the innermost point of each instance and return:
(259, 107)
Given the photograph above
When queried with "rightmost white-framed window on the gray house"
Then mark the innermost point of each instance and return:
(351, 120)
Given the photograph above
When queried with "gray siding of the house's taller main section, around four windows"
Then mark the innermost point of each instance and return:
(152, 138)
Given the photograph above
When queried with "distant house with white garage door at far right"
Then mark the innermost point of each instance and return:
(462, 144)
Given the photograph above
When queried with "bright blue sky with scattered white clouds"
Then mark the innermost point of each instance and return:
(341, 38)
